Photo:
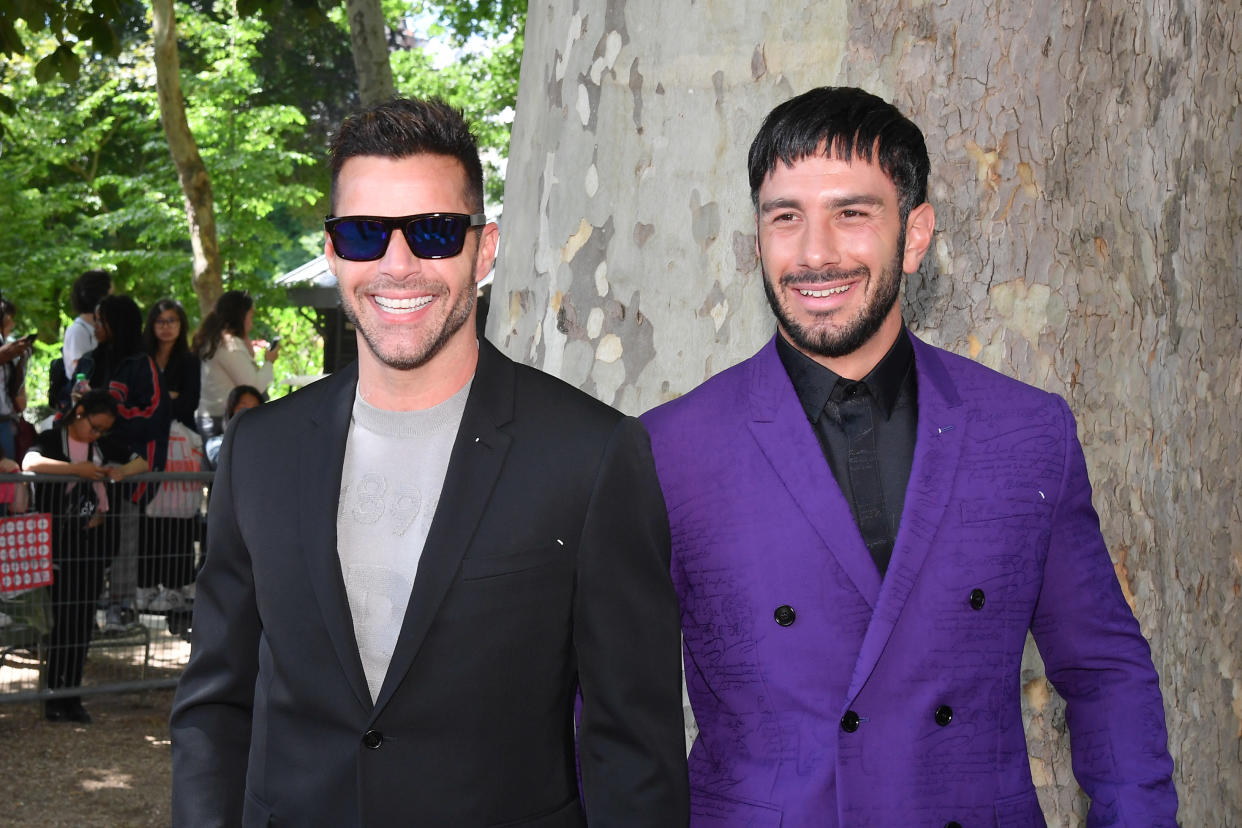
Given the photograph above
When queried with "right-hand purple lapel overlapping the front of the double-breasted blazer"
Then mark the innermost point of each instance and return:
(938, 446)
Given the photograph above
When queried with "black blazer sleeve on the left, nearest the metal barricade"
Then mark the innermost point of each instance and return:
(212, 713)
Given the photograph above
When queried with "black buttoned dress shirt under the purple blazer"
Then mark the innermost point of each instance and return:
(891, 394)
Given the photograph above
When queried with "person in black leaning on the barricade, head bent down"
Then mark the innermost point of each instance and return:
(84, 539)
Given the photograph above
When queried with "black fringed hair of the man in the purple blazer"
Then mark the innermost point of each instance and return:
(843, 122)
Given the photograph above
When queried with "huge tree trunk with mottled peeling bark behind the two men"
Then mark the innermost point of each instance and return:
(1086, 160)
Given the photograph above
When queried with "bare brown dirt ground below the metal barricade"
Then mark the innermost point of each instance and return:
(111, 774)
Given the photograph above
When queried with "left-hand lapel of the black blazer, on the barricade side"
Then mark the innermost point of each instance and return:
(320, 475)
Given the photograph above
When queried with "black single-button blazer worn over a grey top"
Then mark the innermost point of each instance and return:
(546, 570)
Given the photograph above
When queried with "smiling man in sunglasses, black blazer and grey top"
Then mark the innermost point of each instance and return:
(417, 564)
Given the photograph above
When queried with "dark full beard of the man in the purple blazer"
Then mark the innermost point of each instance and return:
(851, 336)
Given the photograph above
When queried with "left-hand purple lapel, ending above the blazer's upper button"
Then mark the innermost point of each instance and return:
(781, 428)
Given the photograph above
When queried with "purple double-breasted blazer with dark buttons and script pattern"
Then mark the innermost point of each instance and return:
(827, 696)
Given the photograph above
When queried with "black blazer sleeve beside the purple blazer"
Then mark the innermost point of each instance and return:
(628, 640)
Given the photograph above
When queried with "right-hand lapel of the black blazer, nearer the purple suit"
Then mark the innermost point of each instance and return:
(474, 467)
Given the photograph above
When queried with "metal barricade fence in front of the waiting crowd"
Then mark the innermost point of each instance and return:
(121, 559)
